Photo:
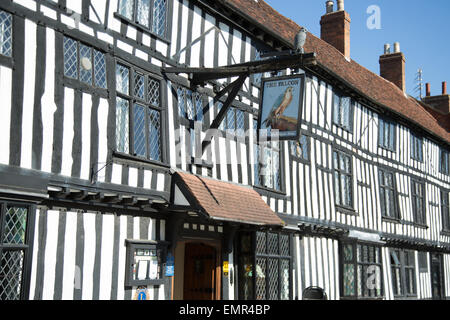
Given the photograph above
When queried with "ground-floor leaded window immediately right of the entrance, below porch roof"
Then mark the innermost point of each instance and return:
(265, 266)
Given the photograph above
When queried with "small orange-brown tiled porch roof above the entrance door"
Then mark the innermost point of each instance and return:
(227, 201)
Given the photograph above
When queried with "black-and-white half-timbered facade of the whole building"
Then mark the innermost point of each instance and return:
(102, 123)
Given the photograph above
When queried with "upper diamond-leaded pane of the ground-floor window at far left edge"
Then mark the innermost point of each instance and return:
(15, 225)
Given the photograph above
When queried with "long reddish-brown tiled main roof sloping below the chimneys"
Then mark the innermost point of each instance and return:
(383, 92)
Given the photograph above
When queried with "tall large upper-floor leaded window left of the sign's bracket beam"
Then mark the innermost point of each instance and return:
(138, 113)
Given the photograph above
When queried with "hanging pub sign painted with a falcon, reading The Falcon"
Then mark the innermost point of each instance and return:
(281, 106)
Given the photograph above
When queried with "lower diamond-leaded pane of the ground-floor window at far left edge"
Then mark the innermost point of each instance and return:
(11, 269)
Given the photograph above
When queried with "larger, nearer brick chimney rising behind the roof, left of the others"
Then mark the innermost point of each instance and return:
(335, 27)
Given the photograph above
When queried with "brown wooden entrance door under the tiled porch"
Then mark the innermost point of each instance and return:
(199, 272)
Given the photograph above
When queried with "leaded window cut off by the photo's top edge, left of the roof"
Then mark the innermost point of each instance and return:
(150, 14)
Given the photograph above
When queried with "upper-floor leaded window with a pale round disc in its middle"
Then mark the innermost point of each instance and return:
(84, 63)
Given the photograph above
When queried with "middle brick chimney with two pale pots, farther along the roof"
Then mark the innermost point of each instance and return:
(392, 66)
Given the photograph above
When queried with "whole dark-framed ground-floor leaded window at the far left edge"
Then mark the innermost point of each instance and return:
(14, 250)
